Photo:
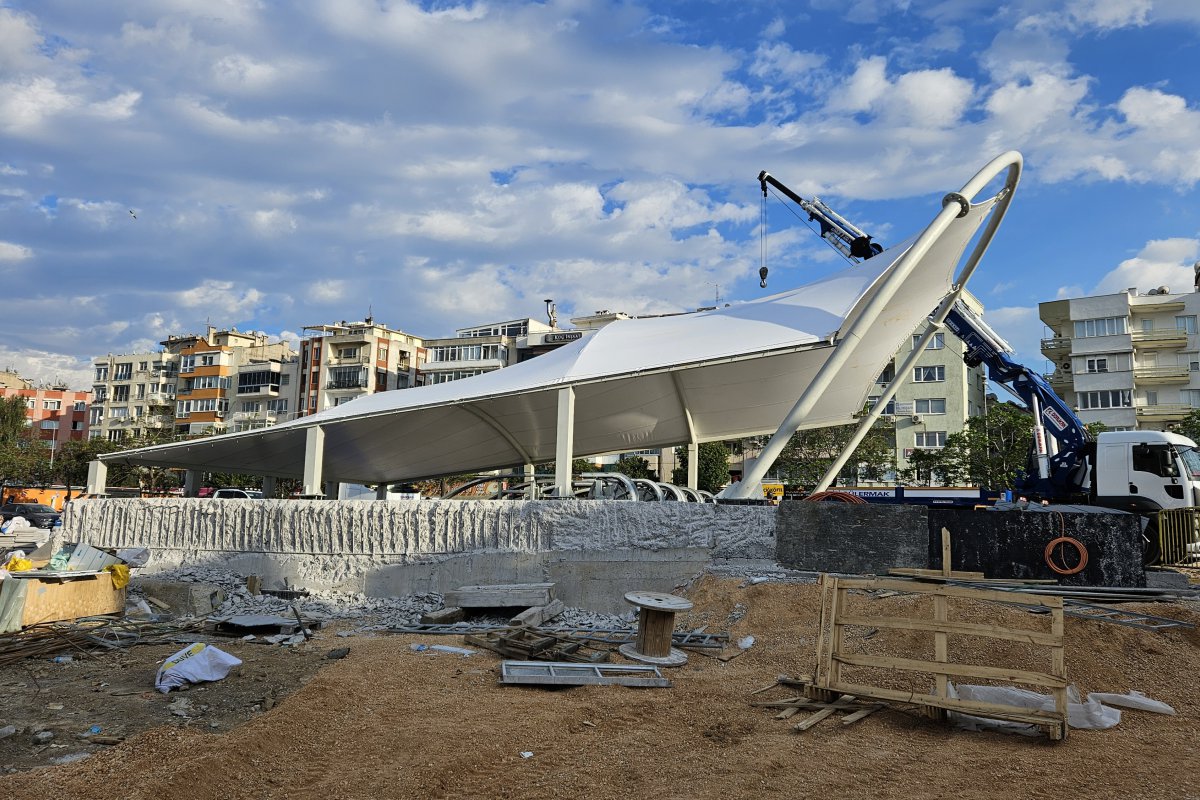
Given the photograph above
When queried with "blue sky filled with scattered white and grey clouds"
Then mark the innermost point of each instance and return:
(170, 165)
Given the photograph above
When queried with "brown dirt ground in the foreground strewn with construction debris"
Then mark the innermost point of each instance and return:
(391, 723)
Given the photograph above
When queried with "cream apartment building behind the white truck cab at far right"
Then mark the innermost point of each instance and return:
(1129, 360)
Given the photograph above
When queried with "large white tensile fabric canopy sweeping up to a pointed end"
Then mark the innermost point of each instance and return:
(638, 384)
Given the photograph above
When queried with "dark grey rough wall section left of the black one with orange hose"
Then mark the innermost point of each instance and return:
(851, 538)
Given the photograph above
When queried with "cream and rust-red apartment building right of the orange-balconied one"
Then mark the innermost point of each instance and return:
(347, 360)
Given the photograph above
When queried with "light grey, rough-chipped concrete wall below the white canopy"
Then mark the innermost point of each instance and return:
(597, 551)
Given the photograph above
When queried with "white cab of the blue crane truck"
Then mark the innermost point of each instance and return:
(1147, 471)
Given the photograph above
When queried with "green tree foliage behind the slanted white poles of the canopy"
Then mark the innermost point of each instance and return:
(809, 454)
